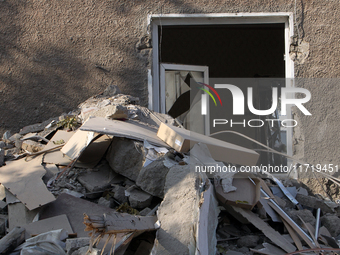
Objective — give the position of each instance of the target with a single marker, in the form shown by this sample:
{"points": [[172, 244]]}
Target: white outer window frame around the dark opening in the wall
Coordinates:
{"points": [[157, 20]]}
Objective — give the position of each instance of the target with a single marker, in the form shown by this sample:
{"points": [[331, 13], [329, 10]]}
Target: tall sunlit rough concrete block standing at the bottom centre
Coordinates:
{"points": [[178, 213]]}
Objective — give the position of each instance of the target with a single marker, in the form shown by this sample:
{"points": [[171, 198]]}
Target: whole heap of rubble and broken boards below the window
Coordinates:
{"points": [[113, 177]]}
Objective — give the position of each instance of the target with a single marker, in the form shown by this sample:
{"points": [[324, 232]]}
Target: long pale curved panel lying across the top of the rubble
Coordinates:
{"points": [[129, 129]]}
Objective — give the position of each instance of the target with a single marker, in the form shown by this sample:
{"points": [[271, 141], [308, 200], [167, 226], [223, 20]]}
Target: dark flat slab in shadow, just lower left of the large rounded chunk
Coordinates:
{"points": [[99, 179]]}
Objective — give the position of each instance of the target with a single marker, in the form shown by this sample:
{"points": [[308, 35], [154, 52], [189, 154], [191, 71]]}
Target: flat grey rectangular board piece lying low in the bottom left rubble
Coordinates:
{"points": [[42, 226]]}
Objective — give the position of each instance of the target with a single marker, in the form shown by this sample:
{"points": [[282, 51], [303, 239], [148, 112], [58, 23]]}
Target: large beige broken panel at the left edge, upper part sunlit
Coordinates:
{"points": [[23, 179]]}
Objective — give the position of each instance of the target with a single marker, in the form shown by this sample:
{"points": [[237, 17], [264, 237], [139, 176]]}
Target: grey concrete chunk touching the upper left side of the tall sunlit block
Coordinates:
{"points": [[152, 178]]}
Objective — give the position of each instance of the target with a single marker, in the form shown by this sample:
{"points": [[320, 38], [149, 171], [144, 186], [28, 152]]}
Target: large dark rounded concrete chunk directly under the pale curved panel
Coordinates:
{"points": [[124, 158]]}
